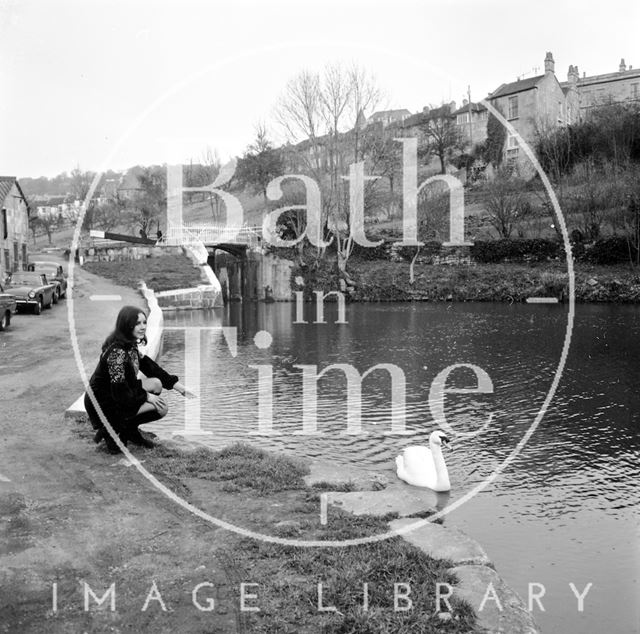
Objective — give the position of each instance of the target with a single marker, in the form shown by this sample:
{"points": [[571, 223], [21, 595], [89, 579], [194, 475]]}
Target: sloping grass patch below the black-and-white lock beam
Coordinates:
{"points": [[165, 273]]}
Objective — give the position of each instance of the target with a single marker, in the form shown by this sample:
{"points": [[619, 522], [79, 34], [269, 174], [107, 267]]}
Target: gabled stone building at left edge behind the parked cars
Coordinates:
{"points": [[14, 227]]}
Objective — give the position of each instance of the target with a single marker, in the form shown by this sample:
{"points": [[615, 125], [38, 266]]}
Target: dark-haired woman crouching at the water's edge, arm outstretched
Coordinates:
{"points": [[125, 400]]}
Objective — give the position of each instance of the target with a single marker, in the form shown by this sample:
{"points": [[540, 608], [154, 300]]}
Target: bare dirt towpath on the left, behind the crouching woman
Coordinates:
{"points": [[72, 514]]}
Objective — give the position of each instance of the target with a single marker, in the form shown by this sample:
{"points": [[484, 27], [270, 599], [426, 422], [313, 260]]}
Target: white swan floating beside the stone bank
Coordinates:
{"points": [[425, 466]]}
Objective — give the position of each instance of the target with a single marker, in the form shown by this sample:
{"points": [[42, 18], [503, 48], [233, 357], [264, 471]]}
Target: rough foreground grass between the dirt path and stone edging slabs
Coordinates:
{"points": [[267, 493]]}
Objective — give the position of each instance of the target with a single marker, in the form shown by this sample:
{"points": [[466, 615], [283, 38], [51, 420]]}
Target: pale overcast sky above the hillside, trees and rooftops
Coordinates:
{"points": [[108, 85]]}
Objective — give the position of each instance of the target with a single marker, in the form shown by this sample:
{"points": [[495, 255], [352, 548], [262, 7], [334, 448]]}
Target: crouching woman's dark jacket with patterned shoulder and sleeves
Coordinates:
{"points": [[115, 382]]}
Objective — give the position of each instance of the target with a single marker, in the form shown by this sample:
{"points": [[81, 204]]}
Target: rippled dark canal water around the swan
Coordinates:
{"points": [[565, 511]]}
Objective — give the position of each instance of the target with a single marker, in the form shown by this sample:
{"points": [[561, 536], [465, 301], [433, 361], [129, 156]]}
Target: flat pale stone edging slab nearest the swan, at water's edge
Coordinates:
{"points": [[396, 498]]}
